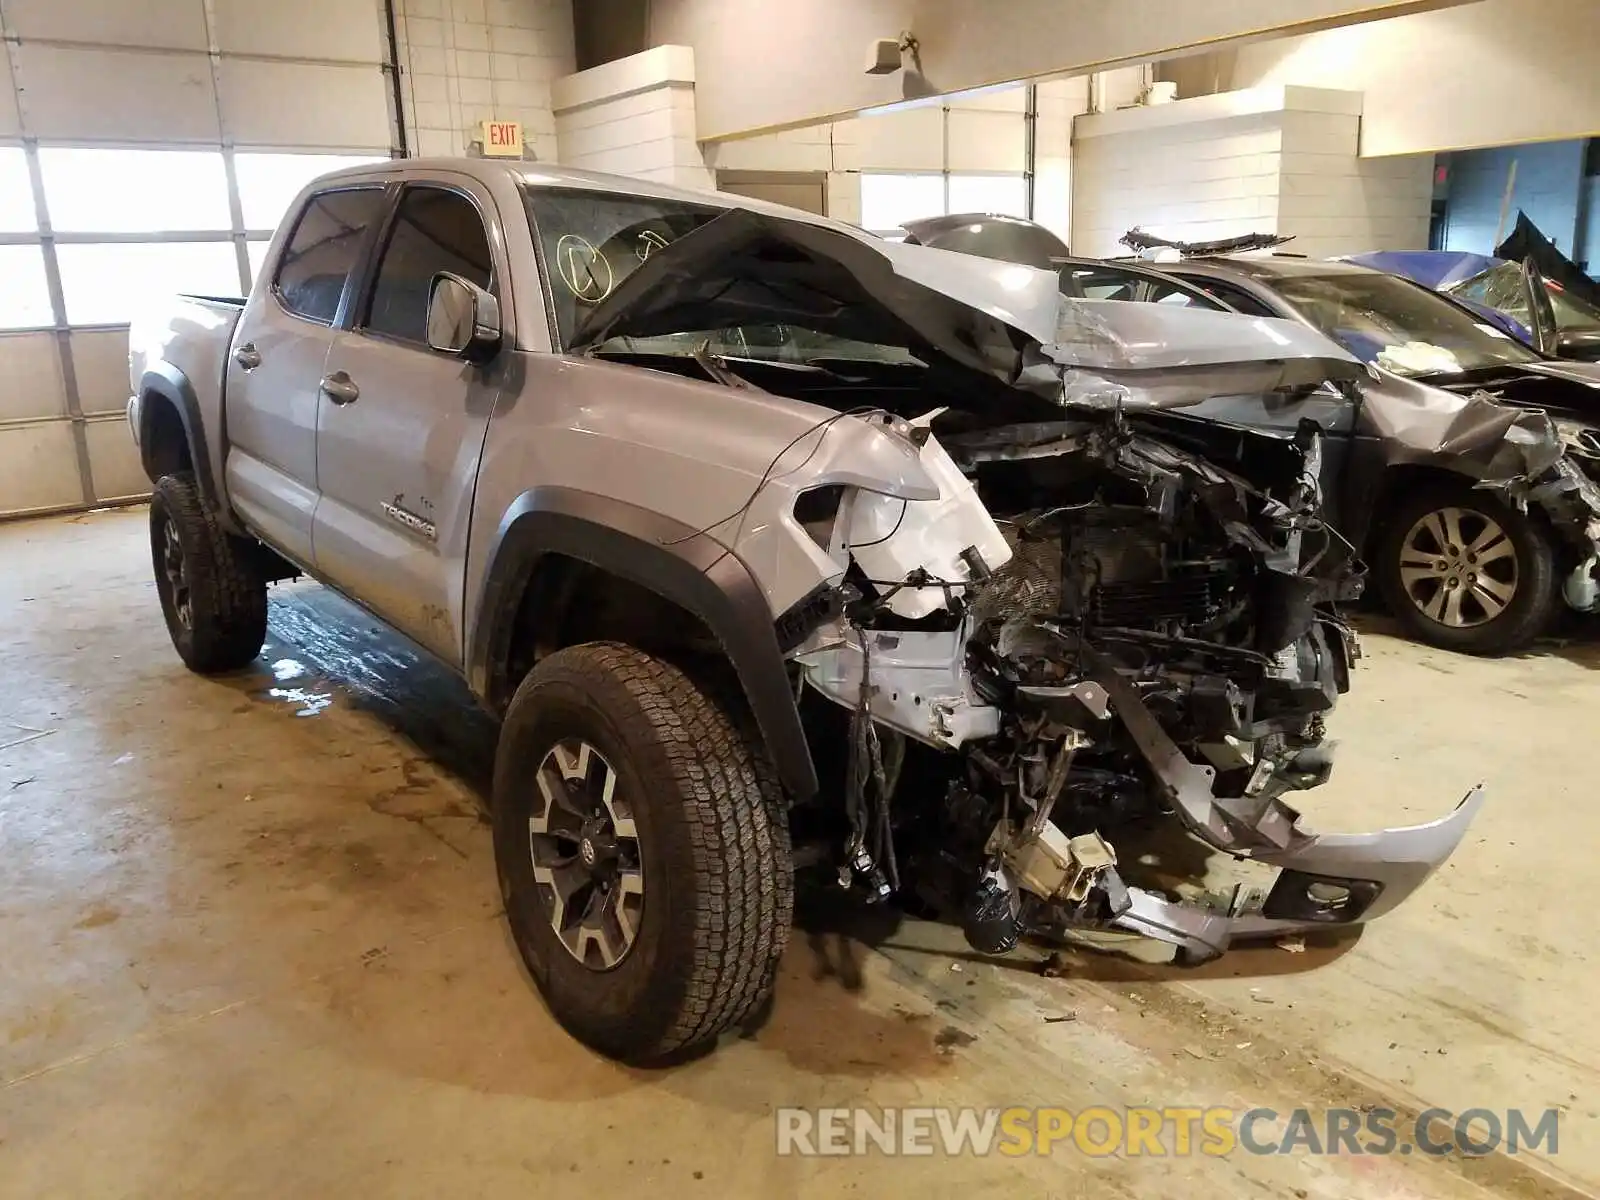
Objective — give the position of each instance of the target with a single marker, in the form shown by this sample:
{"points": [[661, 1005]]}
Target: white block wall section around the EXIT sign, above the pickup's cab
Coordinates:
{"points": [[470, 62]]}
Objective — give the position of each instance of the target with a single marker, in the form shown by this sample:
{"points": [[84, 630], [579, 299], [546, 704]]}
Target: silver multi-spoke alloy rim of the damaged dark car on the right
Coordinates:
{"points": [[1458, 567]]}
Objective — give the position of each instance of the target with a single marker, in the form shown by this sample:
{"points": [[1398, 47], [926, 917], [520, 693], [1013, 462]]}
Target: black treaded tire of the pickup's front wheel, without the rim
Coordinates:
{"points": [[713, 839]]}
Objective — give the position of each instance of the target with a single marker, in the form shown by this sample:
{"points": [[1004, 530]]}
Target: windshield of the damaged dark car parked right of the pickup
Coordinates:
{"points": [[1401, 326]]}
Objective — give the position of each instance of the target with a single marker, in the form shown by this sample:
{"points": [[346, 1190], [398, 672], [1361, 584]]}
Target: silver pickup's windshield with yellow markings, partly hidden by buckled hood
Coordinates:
{"points": [[594, 241]]}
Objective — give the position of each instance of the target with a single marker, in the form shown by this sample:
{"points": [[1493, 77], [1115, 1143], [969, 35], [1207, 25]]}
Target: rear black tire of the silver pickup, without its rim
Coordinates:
{"points": [[228, 593]]}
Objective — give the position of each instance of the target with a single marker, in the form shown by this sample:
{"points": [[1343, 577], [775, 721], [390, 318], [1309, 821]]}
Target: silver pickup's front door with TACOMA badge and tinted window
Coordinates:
{"points": [[398, 463]]}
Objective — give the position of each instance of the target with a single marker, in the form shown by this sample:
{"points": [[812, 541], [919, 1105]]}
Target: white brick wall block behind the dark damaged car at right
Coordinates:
{"points": [[1281, 162]]}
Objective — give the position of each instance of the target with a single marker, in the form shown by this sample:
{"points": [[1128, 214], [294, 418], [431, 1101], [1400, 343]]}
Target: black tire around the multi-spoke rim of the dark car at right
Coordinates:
{"points": [[1534, 607]]}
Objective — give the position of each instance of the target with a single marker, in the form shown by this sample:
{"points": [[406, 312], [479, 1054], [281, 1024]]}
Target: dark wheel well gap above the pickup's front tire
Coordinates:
{"points": [[567, 602]]}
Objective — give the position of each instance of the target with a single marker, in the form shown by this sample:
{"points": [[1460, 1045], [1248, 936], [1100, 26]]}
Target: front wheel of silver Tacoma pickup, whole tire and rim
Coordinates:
{"points": [[642, 852]]}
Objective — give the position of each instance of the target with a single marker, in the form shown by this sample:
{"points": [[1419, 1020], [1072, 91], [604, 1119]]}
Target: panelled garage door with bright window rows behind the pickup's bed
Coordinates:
{"points": [[150, 146]]}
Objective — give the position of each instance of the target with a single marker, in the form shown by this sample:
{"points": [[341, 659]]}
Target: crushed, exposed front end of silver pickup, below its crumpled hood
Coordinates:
{"points": [[1143, 626]]}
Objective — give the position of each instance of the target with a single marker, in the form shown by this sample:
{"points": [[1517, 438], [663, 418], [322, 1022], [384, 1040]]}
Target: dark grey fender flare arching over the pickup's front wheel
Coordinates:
{"points": [[673, 561]]}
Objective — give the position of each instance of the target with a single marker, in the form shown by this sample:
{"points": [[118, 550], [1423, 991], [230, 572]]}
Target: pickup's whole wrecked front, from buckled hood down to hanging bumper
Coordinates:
{"points": [[1047, 602]]}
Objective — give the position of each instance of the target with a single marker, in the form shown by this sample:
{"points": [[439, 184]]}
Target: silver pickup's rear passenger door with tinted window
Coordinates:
{"points": [[276, 366]]}
